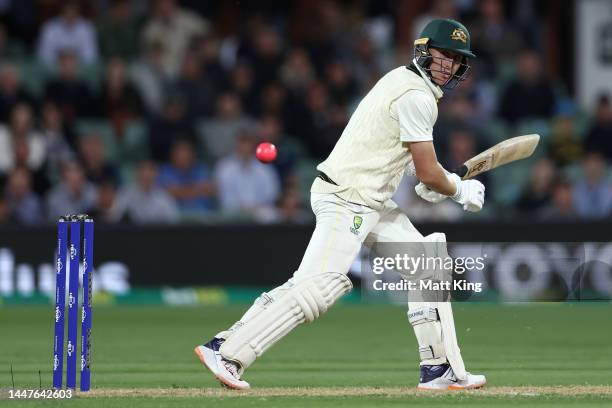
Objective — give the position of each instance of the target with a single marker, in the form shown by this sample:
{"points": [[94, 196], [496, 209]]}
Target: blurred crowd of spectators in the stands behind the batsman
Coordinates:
{"points": [[150, 111]]}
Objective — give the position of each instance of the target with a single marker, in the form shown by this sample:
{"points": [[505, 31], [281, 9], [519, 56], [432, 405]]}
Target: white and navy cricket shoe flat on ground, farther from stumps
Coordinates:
{"points": [[442, 377]]}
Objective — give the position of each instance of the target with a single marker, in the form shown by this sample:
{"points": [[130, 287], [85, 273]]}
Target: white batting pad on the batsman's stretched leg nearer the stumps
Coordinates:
{"points": [[308, 299]]}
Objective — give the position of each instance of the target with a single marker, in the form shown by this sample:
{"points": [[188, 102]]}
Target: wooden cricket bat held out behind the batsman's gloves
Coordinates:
{"points": [[513, 149]]}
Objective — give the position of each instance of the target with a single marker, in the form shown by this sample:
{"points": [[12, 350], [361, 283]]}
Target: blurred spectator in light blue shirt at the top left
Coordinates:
{"points": [[69, 31]]}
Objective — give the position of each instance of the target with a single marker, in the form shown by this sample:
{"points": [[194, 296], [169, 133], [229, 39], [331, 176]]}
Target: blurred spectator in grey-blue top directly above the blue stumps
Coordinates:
{"points": [[73, 195]]}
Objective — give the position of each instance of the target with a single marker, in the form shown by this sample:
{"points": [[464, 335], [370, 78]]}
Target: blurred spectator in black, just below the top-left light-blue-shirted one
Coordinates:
{"points": [[69, 92]]}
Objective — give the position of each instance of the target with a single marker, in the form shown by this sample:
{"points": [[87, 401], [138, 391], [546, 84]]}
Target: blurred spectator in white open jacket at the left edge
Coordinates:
{"points": [[21, 128]]}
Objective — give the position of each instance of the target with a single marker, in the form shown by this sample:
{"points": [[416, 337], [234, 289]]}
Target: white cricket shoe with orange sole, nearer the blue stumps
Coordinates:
{"points": [[226, 371]]}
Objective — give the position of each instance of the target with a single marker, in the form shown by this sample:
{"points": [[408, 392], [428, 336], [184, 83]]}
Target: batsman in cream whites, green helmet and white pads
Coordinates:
{"points": [[389, 133]]}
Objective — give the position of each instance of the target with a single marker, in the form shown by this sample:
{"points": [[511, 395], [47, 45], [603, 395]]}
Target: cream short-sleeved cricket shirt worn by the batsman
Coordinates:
{"points": [[370, 157]]}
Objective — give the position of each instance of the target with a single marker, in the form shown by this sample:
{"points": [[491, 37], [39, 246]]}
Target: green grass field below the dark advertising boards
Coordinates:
{"points": [[532, 355]]}
